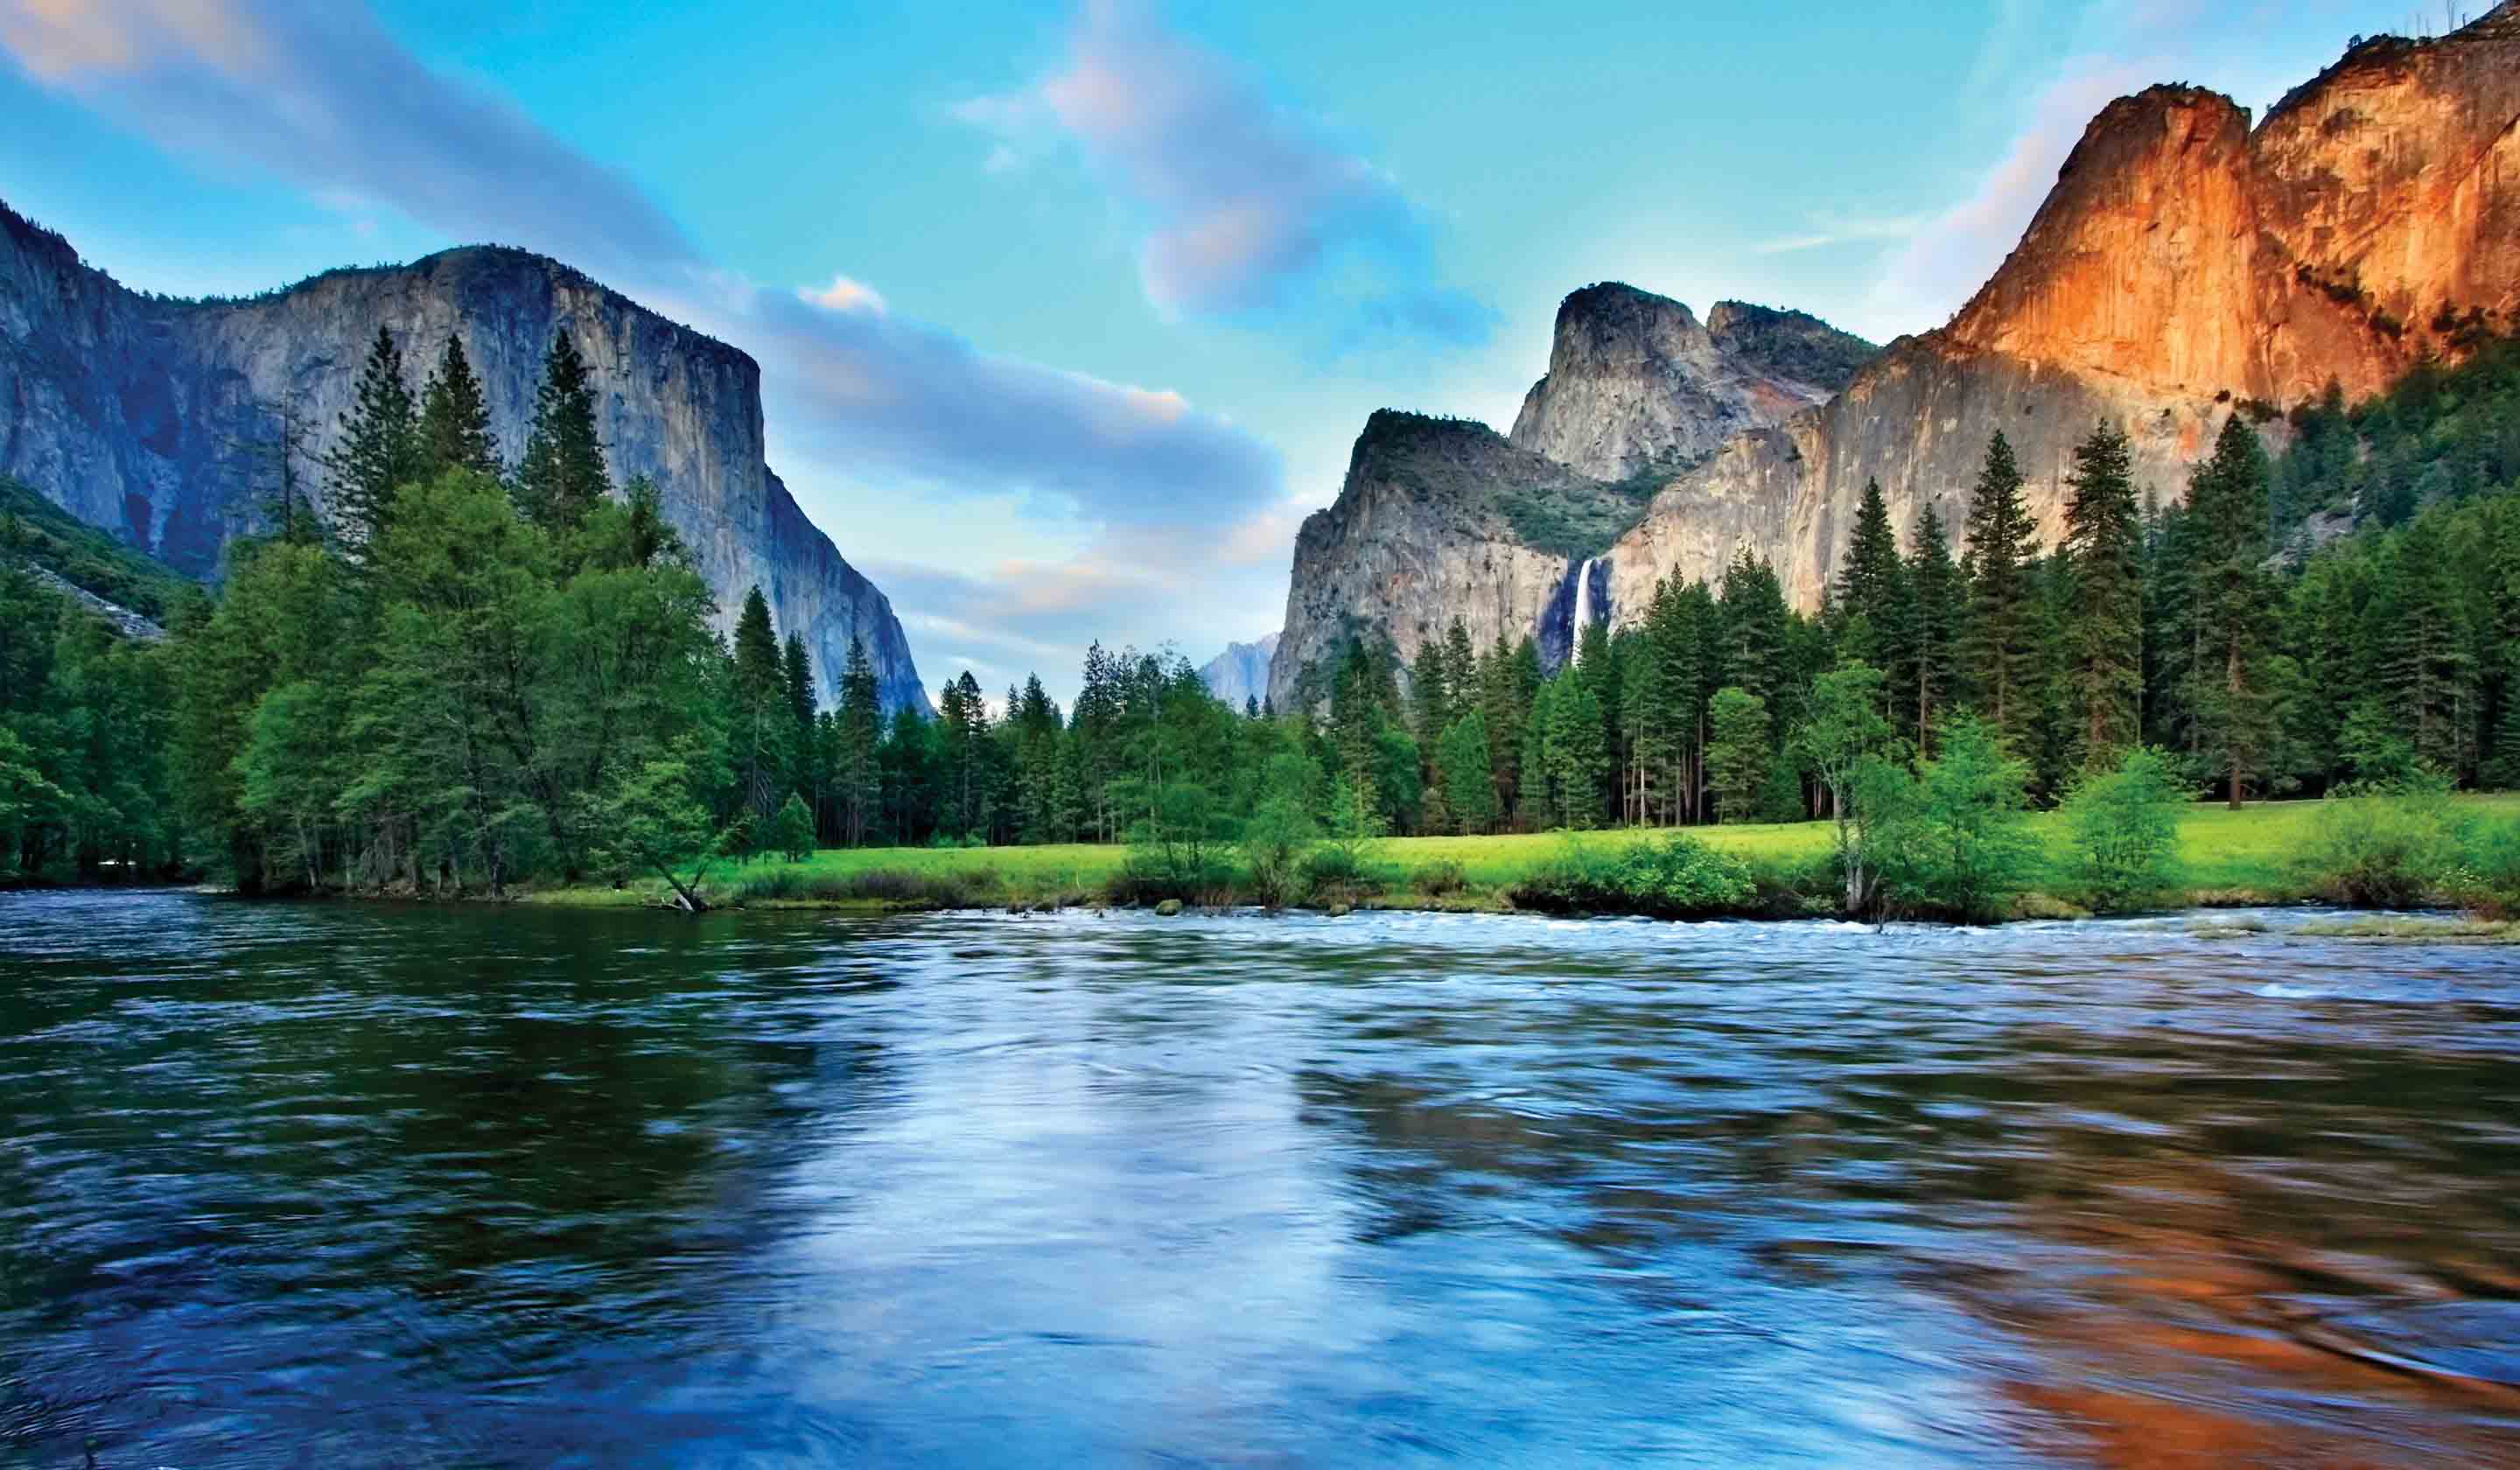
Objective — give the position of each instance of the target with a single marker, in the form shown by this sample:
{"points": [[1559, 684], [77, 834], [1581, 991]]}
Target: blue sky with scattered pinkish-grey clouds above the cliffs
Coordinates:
{"points": [[1067, 314]]}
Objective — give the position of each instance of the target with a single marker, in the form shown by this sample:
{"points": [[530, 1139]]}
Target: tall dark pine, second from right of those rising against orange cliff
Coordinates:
{"points": [[2105, 548]]}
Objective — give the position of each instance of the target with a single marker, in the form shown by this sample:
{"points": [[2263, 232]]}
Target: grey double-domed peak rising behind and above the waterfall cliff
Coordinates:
{"points": [[1639, 385]]}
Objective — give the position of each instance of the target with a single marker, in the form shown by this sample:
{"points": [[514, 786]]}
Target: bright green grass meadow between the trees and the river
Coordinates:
{"points": [[2226, 859]]}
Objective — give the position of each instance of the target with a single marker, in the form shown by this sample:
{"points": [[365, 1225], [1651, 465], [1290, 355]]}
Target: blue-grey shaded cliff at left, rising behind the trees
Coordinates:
{"points": [[157, 417]]}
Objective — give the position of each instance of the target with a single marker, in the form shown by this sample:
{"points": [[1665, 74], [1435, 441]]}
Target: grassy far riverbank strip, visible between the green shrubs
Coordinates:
{"points": [[2224, 861]]}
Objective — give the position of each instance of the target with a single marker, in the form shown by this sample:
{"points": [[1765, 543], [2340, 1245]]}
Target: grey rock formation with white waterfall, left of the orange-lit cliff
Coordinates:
{"points": [[1443, 518]]}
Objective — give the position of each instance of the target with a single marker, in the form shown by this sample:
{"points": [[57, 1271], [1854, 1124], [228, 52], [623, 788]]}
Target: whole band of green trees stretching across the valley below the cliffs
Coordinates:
{"points": [[470, 672]]}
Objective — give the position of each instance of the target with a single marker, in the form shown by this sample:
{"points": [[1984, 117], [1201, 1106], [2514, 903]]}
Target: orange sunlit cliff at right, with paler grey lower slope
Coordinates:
{"points": [[2181, 271]]}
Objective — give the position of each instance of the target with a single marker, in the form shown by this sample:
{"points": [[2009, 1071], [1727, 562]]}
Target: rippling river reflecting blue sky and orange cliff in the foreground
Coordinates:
{"points": [[465, 1186]]}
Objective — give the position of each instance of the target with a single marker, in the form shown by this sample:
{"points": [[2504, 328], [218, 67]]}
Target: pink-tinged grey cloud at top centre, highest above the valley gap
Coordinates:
{"points": [[1254, 205]]}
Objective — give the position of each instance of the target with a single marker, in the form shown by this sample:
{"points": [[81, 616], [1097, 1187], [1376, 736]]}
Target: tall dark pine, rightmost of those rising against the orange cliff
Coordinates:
{"points": [[2234, 596]]}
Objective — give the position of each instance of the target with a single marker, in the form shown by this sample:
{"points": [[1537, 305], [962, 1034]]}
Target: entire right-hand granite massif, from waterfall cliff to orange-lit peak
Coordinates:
{"points": [[2184, 269]]}
